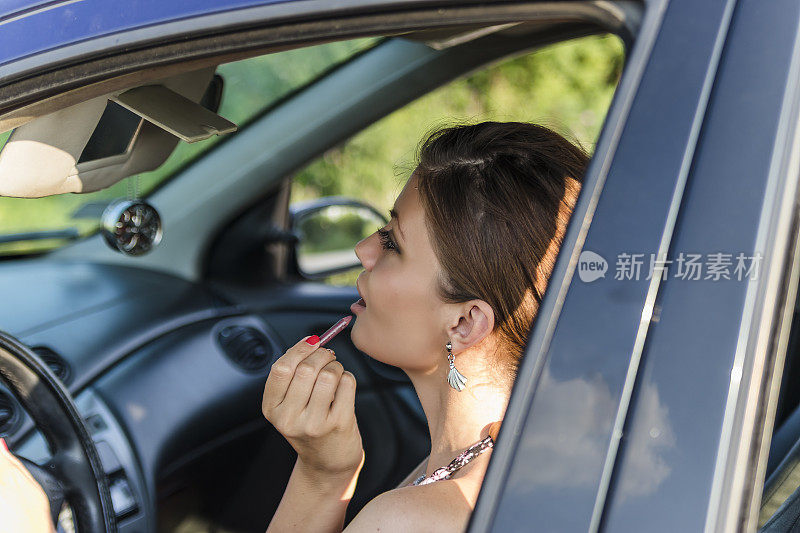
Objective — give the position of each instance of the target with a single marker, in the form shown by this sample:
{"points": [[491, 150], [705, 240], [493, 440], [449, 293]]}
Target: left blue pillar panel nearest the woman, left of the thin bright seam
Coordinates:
{"points": [[568, 435]]}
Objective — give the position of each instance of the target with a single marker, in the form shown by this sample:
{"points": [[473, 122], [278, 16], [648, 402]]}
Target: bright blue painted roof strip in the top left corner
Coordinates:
{"points": [[29, 27]]}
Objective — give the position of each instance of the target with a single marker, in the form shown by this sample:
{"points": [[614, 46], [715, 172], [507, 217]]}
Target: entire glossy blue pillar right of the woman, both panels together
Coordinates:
{"points": [[673, 471]]}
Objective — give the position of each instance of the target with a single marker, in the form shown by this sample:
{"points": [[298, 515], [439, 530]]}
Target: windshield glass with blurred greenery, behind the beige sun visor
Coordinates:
{"points": [[251, 86]]}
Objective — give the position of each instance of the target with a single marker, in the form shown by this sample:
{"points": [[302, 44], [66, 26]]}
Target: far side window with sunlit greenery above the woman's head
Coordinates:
{"points": [[566, 86]]}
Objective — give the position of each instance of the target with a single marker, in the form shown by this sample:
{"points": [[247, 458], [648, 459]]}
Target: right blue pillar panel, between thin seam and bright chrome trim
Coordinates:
{"points": [[687, 372]]}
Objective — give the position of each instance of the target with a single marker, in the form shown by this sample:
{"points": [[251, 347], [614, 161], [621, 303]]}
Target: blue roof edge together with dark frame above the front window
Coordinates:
{"points": [[86, 37]]}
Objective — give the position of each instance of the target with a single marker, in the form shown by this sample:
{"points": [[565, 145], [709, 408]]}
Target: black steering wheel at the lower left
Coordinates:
{"points": [[74, 473]]}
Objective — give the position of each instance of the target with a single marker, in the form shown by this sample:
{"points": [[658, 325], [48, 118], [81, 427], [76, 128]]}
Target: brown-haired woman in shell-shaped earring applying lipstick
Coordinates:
{"points": [[449, 291]]}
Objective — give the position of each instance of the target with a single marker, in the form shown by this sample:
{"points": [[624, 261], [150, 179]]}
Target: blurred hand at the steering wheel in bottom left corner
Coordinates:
{"points": [[23, 504]]}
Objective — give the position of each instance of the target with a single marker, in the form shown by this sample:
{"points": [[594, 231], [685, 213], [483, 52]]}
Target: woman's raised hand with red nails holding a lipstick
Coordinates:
{"points": [[310, 399]]}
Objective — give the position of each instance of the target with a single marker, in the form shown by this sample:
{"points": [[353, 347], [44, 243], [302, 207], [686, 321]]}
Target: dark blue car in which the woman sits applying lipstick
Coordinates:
{"points": [[657, 392]]}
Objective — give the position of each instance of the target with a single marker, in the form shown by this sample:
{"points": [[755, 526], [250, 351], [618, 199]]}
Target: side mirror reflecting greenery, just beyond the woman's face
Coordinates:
{"points": [[328, 230]]}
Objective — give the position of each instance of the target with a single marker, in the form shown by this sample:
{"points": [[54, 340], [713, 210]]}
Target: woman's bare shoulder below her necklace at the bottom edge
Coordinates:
{"points": [[440, 506]]}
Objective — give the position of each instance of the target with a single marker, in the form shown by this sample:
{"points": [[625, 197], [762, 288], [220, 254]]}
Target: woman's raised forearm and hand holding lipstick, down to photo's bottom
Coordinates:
{"points": [[310, 399]]}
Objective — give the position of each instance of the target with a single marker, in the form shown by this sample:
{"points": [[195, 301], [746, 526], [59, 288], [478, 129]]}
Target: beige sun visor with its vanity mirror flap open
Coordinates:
{"points": [[94, 144]]}
